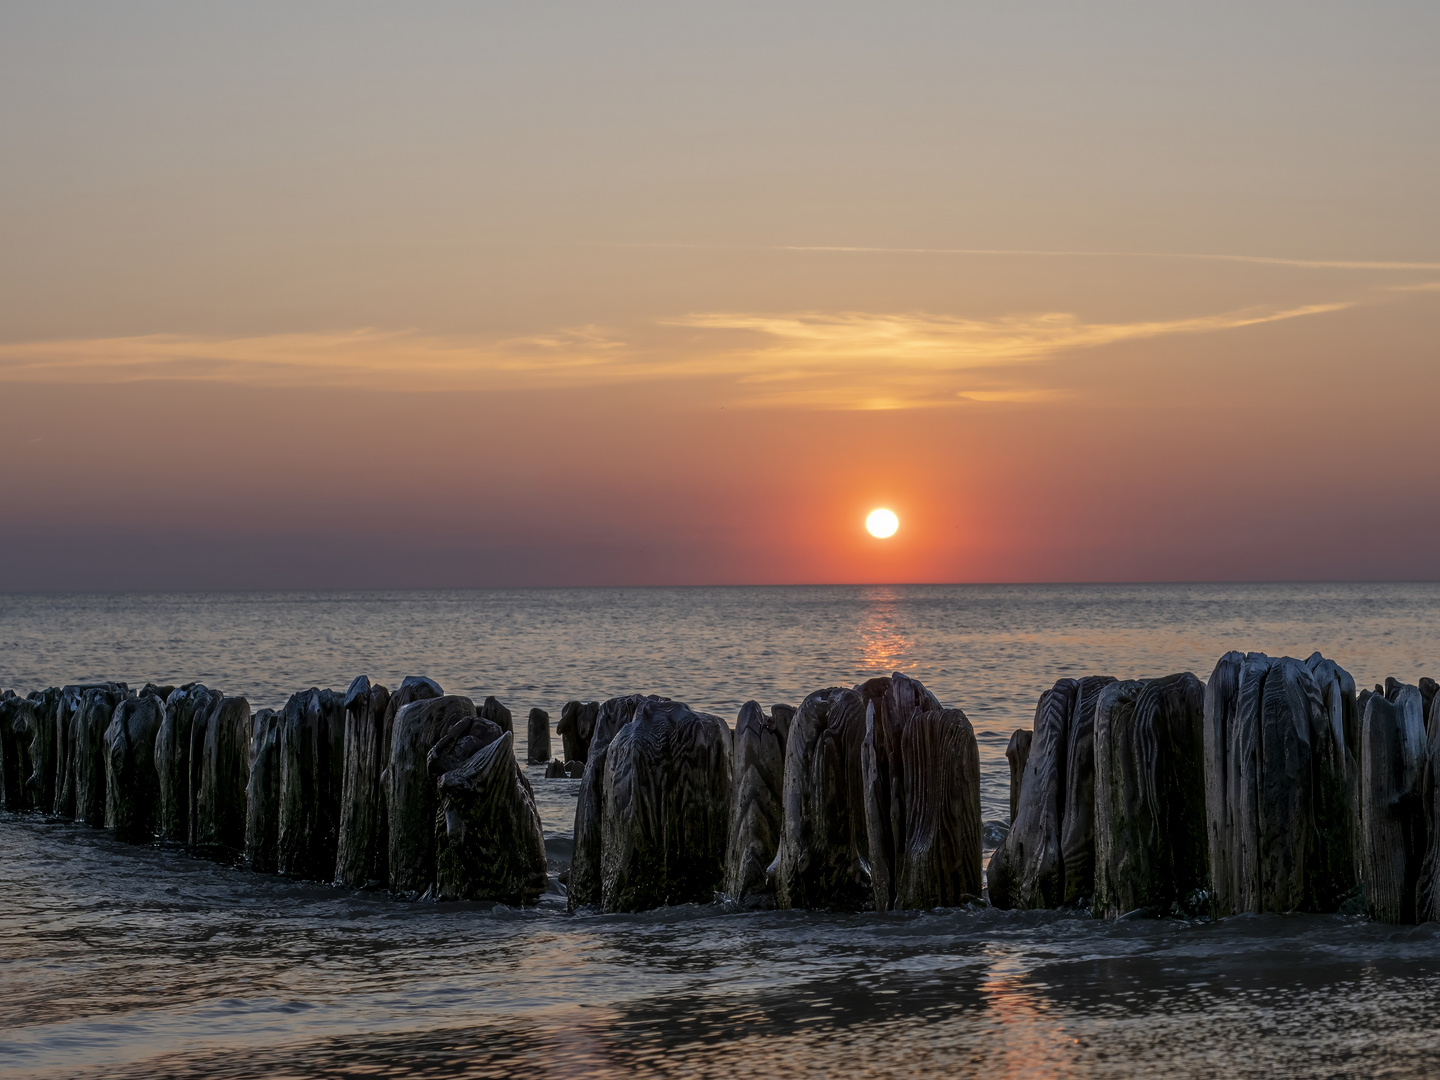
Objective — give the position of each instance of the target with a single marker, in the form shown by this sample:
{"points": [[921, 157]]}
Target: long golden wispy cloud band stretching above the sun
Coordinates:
{"points": [[813, 359]]}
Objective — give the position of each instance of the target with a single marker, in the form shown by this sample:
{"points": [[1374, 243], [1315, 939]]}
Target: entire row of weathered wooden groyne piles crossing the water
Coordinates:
{"points": [[1275, 787]]}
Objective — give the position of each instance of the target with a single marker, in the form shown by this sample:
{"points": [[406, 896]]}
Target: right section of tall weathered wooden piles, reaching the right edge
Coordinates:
{"points": [[1272, 788]]}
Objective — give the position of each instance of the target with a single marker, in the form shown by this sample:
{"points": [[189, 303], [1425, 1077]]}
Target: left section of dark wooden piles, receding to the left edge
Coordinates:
{"points": [[414, 791]]}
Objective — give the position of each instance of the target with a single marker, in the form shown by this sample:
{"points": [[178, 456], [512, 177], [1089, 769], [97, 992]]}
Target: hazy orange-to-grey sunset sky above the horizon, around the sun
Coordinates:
{"points": [[489, 294]]}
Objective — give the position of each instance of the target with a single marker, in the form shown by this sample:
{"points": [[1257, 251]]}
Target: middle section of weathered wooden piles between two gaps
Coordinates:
{"points": [[863, 798]]}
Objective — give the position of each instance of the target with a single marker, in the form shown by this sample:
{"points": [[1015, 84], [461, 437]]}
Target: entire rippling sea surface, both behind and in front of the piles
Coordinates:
{"points": [[122, 961]]}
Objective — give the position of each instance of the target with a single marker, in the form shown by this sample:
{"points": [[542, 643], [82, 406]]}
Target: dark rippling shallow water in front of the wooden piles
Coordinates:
{"points": [[189, 970]]}
